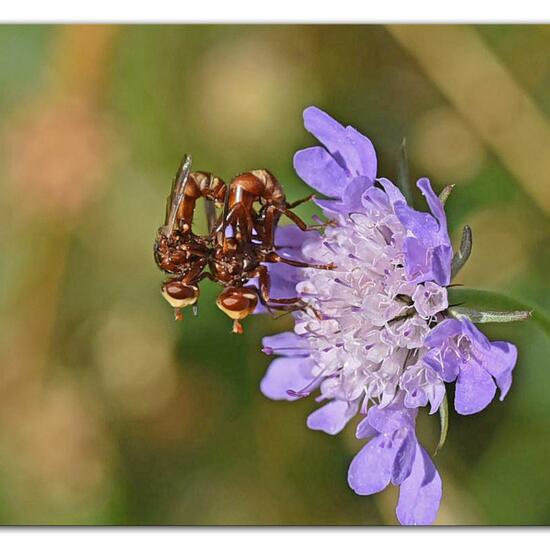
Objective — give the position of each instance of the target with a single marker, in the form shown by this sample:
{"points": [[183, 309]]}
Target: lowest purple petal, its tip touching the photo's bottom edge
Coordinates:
{"points": [[420, 493]]}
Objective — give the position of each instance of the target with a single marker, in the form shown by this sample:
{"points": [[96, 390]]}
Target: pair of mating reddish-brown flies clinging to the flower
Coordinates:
{"points": [[240, 240]]}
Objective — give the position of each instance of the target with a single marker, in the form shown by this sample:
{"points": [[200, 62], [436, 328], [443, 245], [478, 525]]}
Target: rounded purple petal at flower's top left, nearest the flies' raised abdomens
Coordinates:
{"points": [[320, 171]]}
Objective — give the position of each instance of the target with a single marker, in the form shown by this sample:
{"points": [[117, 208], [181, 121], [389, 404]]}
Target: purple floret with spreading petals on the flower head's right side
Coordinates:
{"points": [[459, 351]]}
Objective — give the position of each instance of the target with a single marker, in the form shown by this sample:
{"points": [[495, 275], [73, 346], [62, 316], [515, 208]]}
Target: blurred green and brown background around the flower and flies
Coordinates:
{"points": [[111, 412]]}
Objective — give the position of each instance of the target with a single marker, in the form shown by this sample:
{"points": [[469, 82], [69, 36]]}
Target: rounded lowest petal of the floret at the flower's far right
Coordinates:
{"points": [[475, 389]]}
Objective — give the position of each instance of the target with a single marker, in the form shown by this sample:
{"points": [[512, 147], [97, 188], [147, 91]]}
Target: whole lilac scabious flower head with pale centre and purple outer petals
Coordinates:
{"points": [[375, 339]]}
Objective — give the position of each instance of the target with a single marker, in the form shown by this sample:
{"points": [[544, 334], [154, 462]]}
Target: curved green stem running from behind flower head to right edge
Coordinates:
{"points": [[485, 300]]}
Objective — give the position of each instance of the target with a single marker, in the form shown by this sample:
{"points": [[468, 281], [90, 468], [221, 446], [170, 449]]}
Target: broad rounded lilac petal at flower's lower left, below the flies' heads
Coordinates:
{"points": [[283, 374]]}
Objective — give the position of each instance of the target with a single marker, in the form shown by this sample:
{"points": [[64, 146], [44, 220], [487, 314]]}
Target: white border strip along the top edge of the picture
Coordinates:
{"points": [[280, 11]]}
